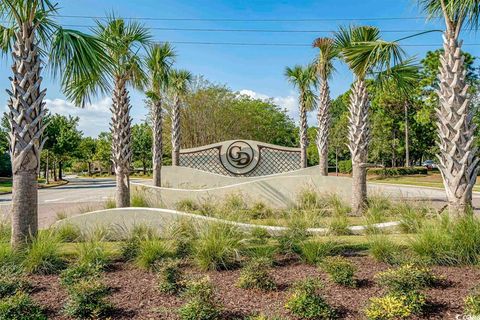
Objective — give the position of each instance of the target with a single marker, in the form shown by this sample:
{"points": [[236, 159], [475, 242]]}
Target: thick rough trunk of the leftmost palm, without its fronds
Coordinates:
{"points": [[26, 111]]}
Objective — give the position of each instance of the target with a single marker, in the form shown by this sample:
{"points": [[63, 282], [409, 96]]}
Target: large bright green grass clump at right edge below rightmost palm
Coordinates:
{"points": [[449, 242]]}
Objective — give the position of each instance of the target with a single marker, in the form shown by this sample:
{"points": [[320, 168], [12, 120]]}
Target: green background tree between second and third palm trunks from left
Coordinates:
{"points": [[142, 145]]}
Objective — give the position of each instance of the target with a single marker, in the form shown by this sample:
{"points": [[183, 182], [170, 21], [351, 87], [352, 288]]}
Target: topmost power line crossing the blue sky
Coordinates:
{"points": [[245, 20]]}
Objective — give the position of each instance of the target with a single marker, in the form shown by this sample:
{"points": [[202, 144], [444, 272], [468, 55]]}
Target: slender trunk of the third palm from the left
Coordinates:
{"points": [[157, 144]]}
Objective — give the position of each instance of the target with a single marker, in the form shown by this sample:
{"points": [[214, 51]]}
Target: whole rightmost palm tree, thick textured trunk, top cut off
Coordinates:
{"points": [[458, 161]]}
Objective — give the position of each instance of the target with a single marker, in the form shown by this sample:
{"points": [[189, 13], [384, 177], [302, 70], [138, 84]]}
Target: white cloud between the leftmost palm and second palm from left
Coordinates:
{"points": [[93, 118]]}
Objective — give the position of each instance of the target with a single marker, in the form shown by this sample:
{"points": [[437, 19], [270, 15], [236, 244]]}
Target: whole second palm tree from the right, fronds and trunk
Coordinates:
{"points": [[367, 56]]}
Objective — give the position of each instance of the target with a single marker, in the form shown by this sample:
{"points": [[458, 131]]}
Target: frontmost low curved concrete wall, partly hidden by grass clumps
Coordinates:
{"points": [[126, 218]]}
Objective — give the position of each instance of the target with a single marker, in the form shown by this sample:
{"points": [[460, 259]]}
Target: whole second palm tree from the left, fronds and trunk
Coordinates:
{"points": [[123, 40]]}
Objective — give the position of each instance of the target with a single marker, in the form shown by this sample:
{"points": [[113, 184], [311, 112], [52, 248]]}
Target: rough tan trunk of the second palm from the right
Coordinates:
{"points": [[358, 136]]}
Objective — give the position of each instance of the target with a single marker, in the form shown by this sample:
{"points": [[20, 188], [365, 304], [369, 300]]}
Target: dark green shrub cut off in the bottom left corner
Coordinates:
{"points": [[20, 307]]}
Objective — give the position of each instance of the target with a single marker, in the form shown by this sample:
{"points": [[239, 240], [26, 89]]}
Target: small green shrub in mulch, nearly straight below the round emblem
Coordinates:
{"points": [[255, 276]]}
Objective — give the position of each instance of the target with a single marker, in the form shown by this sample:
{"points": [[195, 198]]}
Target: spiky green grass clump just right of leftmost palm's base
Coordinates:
{"points": [[42, 255]]}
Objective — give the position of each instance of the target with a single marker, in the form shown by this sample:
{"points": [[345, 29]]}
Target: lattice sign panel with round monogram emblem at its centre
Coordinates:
{"points": [[260, 159]]}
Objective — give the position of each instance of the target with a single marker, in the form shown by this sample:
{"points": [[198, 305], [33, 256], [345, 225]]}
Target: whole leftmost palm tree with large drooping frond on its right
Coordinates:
{"points": [[31, 36]]}
